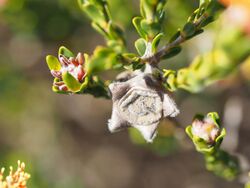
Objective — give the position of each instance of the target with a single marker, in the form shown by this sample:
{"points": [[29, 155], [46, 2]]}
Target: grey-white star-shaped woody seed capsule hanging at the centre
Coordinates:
{"points": [[140, 101]]}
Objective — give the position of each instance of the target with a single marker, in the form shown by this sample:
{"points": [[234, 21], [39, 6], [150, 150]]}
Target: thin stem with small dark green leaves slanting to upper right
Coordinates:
{"points": [[202, 16]]}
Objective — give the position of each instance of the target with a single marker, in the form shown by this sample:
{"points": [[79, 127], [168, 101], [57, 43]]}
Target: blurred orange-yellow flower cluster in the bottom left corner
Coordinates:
{"points": [[15, 179]]}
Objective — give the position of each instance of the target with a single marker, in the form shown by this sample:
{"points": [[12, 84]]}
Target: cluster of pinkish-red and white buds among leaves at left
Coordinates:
{"points": [[73, 66]]}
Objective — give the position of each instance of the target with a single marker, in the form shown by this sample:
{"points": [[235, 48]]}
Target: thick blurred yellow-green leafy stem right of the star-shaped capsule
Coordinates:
{"points": [[211, 66]]}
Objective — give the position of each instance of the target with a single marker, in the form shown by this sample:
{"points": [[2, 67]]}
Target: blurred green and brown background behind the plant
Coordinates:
{"points": [[64, 140]]}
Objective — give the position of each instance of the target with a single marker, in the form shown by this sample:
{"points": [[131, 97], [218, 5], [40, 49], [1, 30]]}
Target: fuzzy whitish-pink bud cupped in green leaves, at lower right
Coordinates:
{"points": [[205, 132]]}
